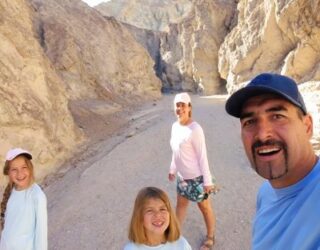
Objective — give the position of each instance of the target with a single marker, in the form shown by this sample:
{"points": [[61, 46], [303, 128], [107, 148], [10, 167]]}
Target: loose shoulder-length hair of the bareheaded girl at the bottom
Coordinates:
{"points": [[136, 229]]}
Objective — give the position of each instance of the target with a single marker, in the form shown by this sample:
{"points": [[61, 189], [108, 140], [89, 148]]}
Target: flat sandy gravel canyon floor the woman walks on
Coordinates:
{"points": [[90, 200]]}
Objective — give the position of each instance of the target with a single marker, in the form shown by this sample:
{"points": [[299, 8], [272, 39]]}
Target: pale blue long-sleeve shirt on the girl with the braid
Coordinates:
{"points": [[25, 220]]}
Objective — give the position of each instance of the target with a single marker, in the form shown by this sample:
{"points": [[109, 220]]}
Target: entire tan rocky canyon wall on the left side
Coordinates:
{"points": [[59, 56]]}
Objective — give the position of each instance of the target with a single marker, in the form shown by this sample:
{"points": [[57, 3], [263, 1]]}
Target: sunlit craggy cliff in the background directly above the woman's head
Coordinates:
{"points": [[191, 47]]}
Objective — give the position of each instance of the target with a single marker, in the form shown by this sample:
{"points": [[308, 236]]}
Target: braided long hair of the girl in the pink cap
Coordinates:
{"points": [[9, 187]]}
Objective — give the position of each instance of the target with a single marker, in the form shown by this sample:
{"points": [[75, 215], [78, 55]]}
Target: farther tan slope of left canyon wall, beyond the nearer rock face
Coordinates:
{"points": [[96, 57]]}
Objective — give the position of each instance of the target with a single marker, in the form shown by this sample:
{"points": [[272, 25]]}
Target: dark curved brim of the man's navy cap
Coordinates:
{"points": [[236, 101]]}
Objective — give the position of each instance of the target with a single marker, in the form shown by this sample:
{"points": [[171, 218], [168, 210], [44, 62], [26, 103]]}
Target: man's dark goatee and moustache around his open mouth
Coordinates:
{"points": [[269, 164]]}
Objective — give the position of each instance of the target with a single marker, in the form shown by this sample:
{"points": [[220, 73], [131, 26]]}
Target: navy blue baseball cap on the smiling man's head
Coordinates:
{"points": [[265, 83]]}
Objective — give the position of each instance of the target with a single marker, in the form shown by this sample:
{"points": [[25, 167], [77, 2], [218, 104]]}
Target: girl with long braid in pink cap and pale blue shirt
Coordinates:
{"points": [[23, 207]]}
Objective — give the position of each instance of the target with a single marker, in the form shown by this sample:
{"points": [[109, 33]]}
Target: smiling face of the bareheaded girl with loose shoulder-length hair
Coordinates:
{"points": [[156, 219]]}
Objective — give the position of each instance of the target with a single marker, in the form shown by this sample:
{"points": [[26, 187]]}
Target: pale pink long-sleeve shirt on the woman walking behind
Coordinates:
{"points": [[189, 152]]}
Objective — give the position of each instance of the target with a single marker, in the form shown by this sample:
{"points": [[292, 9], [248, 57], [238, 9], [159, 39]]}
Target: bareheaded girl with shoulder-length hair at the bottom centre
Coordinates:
{"points": [[154, 224]]}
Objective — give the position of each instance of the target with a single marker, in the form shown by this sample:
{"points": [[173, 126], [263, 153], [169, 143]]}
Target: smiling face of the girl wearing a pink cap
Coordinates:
{"points": [[19, 173]]}
